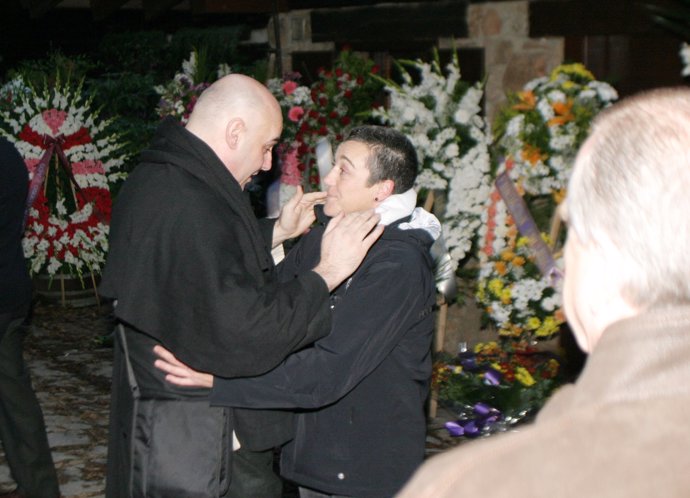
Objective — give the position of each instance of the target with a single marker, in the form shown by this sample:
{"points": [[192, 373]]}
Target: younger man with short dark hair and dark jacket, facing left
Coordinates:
{"points": [[360, 390]]}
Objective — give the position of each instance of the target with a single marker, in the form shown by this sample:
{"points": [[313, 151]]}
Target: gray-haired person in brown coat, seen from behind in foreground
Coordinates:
{"points": [[621, 429]]}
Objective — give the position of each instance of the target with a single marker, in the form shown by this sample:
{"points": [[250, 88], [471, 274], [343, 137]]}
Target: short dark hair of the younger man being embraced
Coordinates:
{"points": [[393, 156]]}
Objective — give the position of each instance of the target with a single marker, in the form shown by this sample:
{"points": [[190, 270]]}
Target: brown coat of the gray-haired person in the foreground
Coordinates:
{"points": [[621, 431]]}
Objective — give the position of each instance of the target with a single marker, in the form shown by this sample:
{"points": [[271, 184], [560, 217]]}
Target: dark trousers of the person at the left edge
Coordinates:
{"points": [[22, 429]]}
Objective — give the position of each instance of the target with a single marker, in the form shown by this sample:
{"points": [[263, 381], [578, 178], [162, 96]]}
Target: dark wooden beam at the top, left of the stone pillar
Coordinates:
{"points": [[388, 25]]}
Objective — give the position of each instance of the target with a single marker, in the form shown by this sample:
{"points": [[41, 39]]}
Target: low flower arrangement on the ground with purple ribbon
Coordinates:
{"points": [[495, 386]]}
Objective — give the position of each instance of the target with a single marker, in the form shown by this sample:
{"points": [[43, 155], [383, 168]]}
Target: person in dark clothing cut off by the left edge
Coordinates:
{"points": [[22, 429]]}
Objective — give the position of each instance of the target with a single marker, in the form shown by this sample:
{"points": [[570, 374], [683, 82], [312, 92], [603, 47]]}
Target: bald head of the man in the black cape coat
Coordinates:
{"points": [[240, 120]]}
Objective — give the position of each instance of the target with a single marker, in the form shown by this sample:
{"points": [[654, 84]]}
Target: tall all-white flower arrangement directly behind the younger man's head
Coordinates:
{"points": [[441, 115]]}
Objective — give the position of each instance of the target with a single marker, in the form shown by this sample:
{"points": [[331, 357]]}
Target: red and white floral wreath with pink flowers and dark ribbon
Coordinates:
{"points": [[72, 163]]}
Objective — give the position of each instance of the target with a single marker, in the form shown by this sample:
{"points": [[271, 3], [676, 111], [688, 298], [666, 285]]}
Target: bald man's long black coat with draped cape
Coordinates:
{"points": [[190, 267]]}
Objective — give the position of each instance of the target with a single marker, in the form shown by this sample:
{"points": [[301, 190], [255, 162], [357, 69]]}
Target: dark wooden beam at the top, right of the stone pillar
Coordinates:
{"points": [[588, 17]]}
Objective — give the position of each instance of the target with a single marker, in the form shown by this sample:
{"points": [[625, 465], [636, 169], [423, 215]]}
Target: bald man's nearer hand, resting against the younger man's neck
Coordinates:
{"points": [[345, 242]]}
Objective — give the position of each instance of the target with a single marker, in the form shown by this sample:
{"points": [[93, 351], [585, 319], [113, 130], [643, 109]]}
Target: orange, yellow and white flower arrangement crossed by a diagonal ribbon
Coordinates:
{"points": [[538, 135]]}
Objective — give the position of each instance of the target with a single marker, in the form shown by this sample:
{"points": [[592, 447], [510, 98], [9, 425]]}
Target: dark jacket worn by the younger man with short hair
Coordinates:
{"points": [[363, 387]]}
